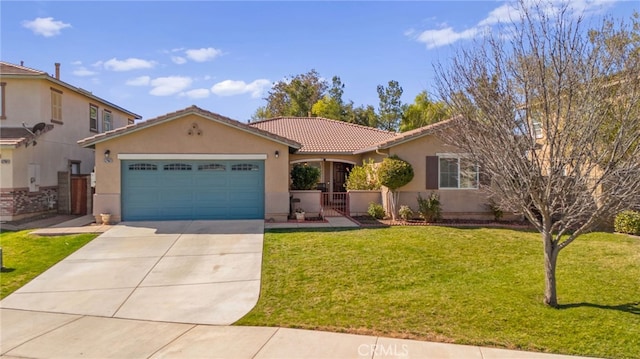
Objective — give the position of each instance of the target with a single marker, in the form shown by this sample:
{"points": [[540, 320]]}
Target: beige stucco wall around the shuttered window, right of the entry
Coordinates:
{"points": [[456, 203]]}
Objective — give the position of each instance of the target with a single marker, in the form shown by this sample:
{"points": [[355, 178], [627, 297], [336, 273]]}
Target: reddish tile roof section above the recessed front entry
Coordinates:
{"points": [[322, 135]]}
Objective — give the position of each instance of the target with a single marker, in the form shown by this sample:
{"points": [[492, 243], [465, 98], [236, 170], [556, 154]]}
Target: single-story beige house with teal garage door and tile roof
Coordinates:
{"points": [[195, 164]]}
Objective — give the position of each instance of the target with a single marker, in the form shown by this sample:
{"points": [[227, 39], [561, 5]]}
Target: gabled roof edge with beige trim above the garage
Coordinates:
{"points": [[91, 141]]}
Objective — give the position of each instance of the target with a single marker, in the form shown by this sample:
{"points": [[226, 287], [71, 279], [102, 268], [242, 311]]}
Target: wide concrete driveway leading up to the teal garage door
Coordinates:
{"points": [[199, 272]]}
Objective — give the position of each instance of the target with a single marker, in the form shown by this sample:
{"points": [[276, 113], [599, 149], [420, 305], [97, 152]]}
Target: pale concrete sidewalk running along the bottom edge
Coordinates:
{"points": [[47, 335]]}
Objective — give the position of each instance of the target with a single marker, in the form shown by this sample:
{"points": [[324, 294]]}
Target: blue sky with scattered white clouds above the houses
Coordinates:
{"points": [[155, 57]]}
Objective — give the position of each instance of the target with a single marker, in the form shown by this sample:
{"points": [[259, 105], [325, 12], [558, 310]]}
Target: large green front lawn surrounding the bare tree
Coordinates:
{"points": [[469, 286]]}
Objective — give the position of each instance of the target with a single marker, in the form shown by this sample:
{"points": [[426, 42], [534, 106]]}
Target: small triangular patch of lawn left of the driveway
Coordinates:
{"points": [[25, 256]]}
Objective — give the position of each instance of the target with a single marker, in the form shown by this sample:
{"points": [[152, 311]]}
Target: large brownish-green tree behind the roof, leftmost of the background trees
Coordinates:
{"points": [[293, 96]]}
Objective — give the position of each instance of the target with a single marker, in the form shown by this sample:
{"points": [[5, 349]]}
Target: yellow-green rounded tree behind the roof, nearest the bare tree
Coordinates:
{"points": [[423, 112]]}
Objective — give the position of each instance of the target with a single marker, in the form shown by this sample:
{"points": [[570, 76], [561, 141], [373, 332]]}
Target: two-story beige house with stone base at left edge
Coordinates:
{"points": [[41, 119]]}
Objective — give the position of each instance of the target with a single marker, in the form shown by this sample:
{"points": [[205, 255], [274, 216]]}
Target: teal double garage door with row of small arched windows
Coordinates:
{"points": [[181, 189]]}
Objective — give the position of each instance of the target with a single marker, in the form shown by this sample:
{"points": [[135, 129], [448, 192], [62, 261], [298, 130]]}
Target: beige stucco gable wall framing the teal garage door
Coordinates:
{"points": [[173, 138]]}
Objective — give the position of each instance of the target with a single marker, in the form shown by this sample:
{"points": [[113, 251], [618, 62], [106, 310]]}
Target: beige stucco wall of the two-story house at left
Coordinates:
{"points": [[29, 101]]}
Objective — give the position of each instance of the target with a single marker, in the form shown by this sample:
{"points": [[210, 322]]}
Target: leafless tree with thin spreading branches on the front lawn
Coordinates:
{"points": [[551, 113]]}
